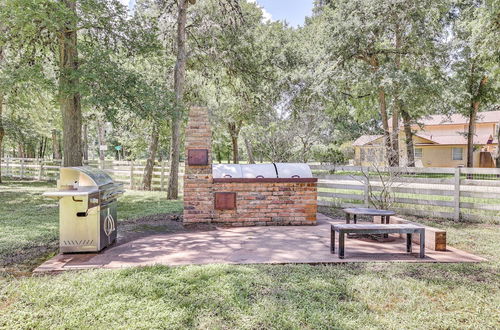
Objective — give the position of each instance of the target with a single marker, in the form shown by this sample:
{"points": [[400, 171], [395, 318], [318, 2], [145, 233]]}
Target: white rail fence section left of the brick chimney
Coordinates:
{"points": [[129, 173]]}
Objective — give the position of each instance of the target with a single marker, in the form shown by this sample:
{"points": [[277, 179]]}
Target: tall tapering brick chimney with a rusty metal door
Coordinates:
{"points": [[198, 196]]}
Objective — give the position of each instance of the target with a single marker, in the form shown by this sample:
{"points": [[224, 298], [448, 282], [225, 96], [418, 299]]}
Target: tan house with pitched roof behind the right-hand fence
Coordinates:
{"points": [[439, 141]]}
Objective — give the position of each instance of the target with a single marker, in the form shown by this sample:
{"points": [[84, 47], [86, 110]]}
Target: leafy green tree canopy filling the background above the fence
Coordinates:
{"points": [[91, 72]]}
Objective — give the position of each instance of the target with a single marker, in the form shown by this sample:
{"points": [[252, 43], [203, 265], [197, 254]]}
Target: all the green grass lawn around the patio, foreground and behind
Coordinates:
{"points": [[346, 296]]}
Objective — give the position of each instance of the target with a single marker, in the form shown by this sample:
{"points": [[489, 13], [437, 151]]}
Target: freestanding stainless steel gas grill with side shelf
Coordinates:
{"points": [[87, 209]]}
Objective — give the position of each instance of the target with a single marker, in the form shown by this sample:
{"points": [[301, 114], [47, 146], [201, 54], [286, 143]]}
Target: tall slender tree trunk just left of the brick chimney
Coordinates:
{"points": [[179, 79]]}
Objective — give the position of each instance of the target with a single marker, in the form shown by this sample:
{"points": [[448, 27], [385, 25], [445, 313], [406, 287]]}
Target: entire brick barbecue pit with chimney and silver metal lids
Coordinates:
{"points": [[242, 195]]}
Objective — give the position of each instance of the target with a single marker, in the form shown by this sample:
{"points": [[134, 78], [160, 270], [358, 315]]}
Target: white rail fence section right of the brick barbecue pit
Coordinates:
{"points": [[451, 193]]}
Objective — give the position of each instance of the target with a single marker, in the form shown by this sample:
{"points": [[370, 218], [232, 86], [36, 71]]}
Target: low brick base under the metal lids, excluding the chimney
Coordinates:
{"points": [[269, 204]]}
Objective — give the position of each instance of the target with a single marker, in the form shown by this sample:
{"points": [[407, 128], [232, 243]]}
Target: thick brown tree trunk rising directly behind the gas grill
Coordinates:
{"points": [[69, 97]]}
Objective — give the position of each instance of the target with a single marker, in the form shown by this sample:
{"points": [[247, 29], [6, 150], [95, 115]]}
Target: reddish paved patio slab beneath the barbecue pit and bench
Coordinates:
{"points": [[248, 245]]}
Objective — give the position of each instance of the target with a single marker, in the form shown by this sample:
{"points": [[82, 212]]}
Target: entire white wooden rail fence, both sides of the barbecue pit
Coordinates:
{"points": [[451, 193]]}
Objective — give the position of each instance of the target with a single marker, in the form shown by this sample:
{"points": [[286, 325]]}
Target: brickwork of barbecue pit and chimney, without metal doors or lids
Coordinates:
{"points": [[257, 203]]}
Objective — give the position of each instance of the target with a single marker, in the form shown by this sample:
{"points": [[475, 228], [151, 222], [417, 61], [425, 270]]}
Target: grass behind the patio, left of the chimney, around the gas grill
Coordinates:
{"points": [[29, 221]]}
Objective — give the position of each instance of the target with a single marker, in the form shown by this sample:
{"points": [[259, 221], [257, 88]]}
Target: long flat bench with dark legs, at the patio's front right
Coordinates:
{"points": [[407, 229]]}
